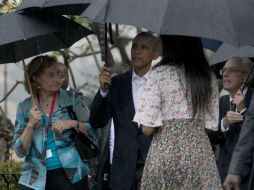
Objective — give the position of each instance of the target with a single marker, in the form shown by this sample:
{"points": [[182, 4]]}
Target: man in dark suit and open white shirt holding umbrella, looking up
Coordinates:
{"points": [[119, 102]]}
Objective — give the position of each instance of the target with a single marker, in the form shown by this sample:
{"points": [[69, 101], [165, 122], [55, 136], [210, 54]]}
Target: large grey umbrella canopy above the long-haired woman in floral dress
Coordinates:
{"points": [[224, 20]]}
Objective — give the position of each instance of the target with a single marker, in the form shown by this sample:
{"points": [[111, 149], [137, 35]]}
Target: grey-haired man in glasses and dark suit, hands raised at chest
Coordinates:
{"points": [[232, 108]]}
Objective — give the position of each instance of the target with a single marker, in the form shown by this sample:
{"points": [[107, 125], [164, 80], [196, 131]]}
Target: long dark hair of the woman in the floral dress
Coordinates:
{"points": [[187, 53]]}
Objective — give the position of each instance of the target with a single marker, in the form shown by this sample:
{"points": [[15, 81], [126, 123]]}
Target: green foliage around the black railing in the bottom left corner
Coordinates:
{"points": [[10, 167]]}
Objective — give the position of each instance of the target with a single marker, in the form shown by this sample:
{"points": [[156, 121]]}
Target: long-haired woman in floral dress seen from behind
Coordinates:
{"points": [[180, 102]]}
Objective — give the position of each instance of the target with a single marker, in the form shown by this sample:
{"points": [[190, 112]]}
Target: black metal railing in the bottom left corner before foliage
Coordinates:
{"points": [[9, 181]]}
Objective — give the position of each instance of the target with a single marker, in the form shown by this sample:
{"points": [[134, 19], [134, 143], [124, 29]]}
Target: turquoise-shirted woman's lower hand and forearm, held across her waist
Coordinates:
{"points": [[61, 125]]}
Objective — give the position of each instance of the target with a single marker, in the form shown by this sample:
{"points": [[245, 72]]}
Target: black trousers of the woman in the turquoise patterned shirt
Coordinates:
{"points": [[57, 180]]}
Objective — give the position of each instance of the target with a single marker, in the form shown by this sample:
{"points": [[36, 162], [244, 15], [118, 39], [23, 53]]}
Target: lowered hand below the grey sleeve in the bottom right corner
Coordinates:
{"points": [[232, 182]]}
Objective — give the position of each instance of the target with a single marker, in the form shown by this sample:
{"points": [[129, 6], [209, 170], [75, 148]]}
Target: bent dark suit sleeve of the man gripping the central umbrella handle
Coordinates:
{"points": [[100, 111]]}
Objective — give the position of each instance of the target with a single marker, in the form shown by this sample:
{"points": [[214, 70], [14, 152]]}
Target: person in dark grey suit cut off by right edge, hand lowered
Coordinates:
{"points": [[242, 163]]}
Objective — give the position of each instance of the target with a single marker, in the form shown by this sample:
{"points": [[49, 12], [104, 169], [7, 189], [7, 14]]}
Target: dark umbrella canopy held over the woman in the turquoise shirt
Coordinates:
{"points": [[36, 33]]}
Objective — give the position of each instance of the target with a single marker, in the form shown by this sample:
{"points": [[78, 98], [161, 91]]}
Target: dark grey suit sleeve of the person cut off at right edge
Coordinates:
{"points": [[242, 158]]}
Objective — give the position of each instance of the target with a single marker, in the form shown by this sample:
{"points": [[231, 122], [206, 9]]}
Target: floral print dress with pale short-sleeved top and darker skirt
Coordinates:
{"points": [[180, 156]]}
